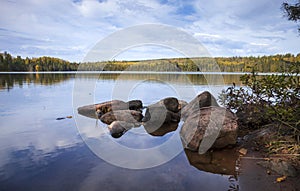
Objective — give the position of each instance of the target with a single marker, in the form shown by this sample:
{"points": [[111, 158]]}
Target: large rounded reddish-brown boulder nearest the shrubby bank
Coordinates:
{"points": [[212, 126]]}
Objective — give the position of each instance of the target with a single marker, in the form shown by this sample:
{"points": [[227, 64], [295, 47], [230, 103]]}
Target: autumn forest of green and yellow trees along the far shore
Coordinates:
{"points": [[271, 63]]}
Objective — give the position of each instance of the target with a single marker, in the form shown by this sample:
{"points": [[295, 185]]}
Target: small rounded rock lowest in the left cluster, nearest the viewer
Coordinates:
{"points": [[118, 128]]}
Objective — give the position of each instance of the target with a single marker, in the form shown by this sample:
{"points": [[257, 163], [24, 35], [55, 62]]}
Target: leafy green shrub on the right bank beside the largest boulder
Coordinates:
{"points": [[266, 98]]}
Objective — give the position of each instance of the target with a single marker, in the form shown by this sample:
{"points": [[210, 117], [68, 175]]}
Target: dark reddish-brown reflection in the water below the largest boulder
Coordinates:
{"points": [[218, 162]]}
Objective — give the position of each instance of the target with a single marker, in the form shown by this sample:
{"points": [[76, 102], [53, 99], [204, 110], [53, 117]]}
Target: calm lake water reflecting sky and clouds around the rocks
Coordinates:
{"points": [[38, 152]]}
